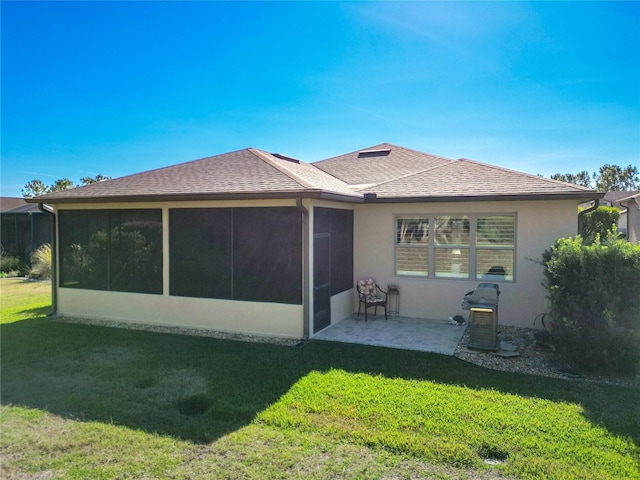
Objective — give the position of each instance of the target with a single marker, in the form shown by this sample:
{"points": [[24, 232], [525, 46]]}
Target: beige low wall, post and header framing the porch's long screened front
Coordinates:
{"points": [[269, 319]]}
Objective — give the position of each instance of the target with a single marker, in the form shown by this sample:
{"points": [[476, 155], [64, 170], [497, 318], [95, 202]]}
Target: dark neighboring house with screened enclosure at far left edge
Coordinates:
{"points": [[23, 227]]}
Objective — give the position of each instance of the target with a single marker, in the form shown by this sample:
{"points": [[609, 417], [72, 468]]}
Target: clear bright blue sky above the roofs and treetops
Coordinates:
{"points": [[122, 87]]}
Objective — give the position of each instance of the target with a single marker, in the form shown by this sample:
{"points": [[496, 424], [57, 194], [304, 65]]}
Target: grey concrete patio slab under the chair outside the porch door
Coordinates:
{"points": [[438, 336]]}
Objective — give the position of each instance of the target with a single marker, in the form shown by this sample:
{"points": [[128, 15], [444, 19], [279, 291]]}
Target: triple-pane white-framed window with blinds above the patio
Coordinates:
{"points": [[478, 247]]}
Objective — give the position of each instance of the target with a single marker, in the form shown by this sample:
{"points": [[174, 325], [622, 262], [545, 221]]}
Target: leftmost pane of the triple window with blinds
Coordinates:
{"points": [[412, 241]]}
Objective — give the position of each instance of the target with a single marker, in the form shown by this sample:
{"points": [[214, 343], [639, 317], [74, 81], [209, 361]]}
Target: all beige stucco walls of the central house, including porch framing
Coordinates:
{"points": [[539, 224]]}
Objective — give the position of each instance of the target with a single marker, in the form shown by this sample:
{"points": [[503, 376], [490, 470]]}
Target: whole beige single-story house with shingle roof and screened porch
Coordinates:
{"points": [[262, 243]]}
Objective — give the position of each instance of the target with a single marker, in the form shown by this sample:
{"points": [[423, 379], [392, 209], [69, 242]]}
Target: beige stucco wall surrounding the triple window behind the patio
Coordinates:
{"points": [[539, 224]]}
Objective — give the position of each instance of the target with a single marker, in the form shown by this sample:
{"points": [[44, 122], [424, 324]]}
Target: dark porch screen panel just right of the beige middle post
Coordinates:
{"points": [[200, 252]]}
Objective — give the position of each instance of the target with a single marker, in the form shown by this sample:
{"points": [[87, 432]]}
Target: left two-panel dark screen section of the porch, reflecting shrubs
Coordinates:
{"points": [[117, 250]]}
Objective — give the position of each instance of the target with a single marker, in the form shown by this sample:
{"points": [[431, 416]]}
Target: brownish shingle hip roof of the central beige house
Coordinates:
{"points": [[384, 172]]}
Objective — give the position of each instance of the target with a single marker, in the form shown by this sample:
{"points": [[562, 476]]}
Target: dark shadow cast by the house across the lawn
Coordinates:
{"points": [[200, 389]]}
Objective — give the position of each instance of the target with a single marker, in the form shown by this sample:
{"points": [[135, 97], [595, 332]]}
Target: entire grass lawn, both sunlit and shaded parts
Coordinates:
{"points": [[82, 401]]}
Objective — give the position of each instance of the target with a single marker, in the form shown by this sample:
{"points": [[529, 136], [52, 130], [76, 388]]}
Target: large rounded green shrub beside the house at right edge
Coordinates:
{"points": [[593, 292]]}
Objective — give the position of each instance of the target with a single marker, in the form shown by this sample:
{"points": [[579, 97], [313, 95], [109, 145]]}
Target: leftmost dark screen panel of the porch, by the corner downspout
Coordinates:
{"points": [[84, 247]]}
